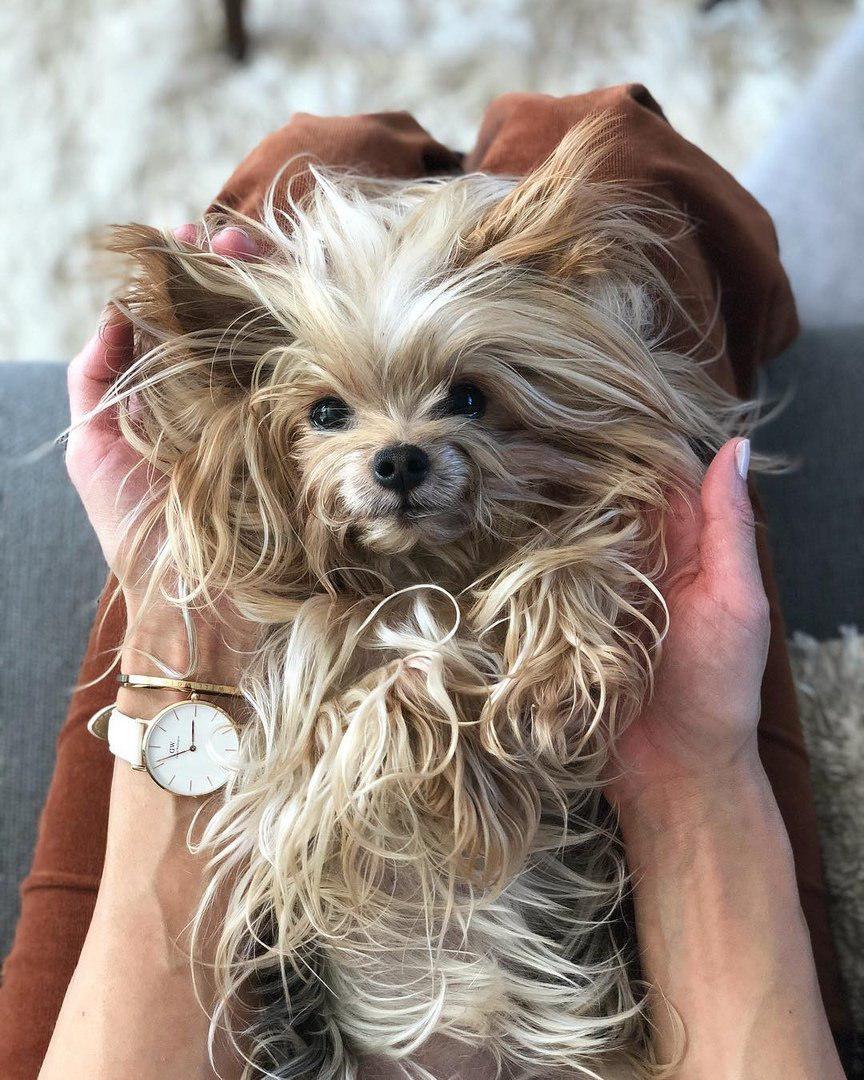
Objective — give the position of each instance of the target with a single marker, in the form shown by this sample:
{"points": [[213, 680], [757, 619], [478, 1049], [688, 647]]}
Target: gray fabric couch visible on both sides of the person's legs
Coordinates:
{"points": [[51, 568]]}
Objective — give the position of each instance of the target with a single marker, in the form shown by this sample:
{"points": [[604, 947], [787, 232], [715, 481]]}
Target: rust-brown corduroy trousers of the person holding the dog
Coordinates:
{"points": [[728, 264]]}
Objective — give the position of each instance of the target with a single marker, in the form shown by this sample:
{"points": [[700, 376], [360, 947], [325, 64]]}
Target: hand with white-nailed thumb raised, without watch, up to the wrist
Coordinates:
{"points": [[700, 724]]}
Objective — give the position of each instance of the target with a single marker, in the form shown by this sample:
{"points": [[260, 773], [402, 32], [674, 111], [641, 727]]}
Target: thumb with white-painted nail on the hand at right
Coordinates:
{"points": [[730, 566]]}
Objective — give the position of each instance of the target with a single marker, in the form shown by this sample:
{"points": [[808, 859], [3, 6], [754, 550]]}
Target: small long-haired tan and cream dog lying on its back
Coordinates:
{"points": [[425, 443]]}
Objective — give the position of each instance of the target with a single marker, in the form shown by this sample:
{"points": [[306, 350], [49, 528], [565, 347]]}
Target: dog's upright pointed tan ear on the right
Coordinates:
{"points": [[562, 220]]}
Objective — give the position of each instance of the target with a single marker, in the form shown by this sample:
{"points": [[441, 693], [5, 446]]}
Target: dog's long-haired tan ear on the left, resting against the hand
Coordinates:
{"points": [[196, 408]]}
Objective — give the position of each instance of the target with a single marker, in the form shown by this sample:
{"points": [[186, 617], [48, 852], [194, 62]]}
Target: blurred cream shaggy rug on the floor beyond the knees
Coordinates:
{"points": [[124, 111]]}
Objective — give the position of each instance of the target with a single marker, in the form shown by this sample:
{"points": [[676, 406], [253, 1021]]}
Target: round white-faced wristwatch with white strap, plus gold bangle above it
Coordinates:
{"points": [[191, 748]]}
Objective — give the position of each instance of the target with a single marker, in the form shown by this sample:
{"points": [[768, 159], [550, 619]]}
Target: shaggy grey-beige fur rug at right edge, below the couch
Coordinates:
{"points": [[831, 691]]}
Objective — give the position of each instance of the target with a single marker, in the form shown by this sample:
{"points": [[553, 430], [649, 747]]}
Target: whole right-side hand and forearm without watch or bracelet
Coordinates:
{"points": [[722, 936]]}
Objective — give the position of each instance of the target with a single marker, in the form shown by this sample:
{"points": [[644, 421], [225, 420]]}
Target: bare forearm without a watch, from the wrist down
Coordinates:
{"points": [[722, 935]]}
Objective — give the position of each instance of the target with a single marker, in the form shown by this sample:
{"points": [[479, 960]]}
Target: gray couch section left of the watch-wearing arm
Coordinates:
{"points": [[51, 574]]}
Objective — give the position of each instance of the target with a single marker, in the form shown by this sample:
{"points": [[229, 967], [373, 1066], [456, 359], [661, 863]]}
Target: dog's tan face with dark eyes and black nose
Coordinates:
{"points": [[420, 448]]}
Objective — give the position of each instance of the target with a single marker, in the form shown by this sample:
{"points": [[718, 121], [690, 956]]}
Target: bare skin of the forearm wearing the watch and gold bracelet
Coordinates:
{"points": [[132, 1007]]}
